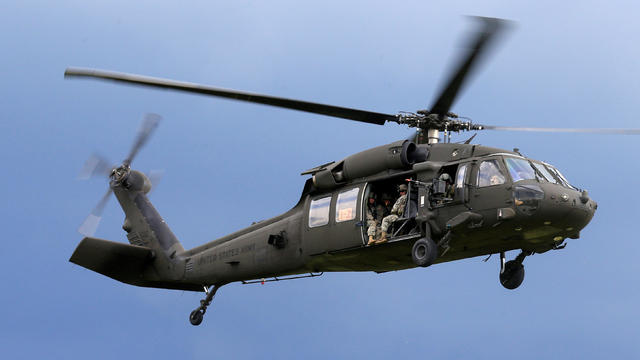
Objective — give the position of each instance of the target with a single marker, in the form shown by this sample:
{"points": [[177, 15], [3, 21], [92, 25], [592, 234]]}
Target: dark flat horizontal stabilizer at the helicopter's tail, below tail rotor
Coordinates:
{"points": [[119, 261]]}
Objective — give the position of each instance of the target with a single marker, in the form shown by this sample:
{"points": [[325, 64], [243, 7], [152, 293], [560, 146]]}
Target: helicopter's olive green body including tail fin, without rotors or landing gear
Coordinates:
{"points": [[471, 200]]}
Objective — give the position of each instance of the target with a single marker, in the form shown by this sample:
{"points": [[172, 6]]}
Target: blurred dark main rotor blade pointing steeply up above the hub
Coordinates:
{"points": [[476, 48]]}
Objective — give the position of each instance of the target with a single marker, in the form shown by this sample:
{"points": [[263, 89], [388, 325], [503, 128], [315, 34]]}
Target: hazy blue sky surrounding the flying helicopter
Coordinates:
{"points": [[228, 164]]}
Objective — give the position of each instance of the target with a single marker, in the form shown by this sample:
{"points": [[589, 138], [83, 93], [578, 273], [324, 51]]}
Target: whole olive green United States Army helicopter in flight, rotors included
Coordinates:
{"points": [[452, 201]]}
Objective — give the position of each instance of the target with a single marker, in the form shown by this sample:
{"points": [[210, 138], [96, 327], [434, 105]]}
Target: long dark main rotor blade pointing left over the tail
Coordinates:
{"points": [[316, 108]]}
